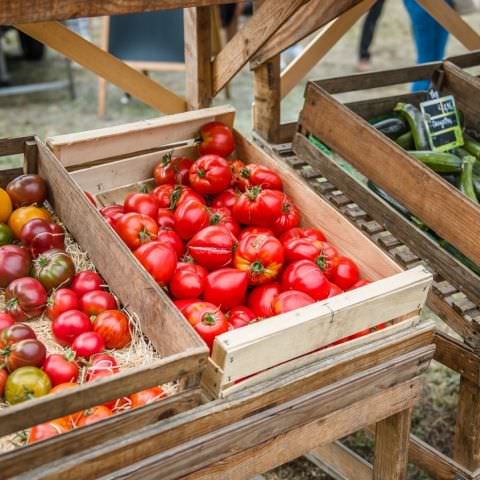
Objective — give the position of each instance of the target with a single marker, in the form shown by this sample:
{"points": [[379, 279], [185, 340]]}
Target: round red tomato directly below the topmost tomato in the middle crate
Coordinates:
{"points": [[210, 174]]}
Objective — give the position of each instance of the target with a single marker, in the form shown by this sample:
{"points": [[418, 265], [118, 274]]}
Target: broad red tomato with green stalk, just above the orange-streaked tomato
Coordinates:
{"points": [[258, 207]]}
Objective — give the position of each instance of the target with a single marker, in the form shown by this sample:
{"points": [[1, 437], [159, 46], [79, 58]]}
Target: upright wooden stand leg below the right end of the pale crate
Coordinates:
{"points": [[391, 447]]}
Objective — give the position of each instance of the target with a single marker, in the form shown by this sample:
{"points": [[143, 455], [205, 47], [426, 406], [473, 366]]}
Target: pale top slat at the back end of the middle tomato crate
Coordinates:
{"points": [[85, 147]]}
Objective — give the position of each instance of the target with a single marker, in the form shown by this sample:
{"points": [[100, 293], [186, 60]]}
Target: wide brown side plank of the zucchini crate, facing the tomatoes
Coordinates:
{"points": [[412, 184]]}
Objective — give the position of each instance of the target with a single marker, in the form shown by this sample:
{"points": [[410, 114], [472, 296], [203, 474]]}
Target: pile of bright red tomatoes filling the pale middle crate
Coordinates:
{"points": [[225, 241]]}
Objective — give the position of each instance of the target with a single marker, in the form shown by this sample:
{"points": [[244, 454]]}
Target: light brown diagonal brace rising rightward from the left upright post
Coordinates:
{"points": [[267, 19]]}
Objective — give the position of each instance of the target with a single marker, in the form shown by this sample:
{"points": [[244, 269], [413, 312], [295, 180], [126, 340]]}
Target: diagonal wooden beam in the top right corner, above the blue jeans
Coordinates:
{"points": [[453, 22]]}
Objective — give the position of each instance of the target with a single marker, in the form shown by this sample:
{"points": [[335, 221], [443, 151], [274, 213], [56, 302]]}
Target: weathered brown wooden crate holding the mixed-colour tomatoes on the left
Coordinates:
{"points": [[182, 356]]}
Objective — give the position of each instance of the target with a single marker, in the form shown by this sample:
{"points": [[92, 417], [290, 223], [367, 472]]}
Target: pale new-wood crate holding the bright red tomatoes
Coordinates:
{"points": [[109, 162]]}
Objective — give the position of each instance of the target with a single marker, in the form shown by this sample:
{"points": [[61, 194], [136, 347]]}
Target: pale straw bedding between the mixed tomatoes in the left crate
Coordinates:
{"points": [[139, 352]]}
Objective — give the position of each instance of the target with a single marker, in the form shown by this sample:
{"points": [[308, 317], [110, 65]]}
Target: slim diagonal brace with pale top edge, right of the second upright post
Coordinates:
{"points": [[320, 46]]}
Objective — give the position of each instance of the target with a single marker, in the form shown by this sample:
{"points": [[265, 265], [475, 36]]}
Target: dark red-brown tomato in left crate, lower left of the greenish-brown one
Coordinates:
{"points": [[25, 298]]}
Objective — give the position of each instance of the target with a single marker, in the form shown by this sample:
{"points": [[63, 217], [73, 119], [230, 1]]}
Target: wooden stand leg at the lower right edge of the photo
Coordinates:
{"points": [[466, 449]]}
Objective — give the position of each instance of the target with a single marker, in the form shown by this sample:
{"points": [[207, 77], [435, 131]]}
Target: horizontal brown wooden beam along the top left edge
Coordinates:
{"points": [[26, 11]]}
